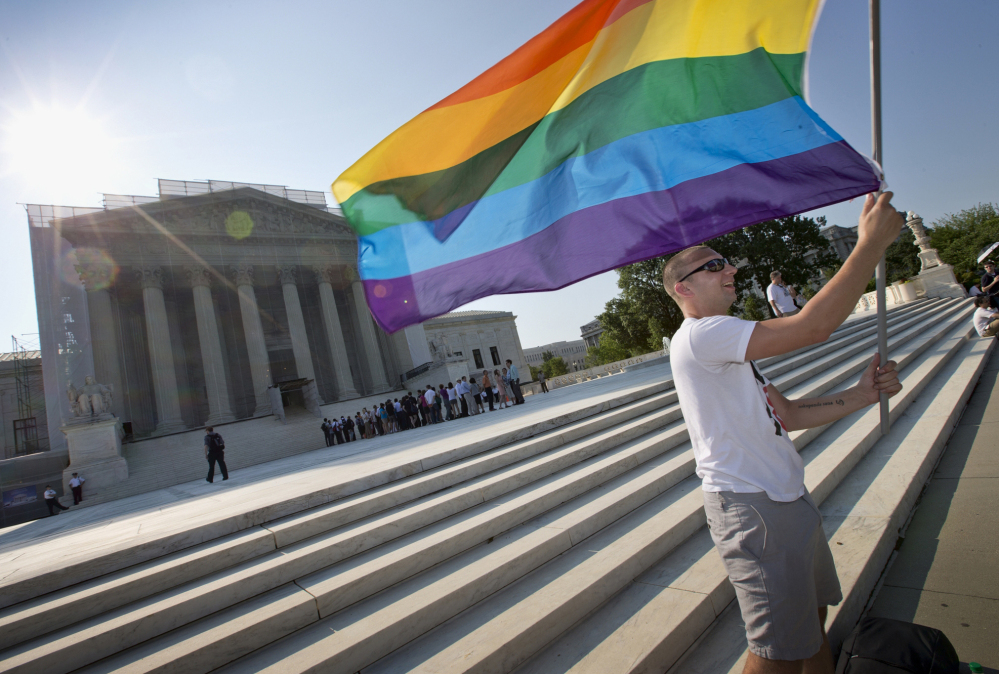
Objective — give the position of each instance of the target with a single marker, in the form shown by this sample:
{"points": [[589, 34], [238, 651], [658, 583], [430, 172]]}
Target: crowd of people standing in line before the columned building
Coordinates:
{"points": [[455, 400]]}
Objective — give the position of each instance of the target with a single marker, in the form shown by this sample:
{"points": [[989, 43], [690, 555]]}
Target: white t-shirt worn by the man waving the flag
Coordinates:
{"points": [[740, 444]]}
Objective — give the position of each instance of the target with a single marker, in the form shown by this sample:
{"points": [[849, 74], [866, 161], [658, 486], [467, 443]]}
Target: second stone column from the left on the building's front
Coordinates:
{"points": [[168, 417]]}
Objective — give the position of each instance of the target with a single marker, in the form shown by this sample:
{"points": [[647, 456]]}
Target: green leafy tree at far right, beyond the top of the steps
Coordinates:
{"points": [[959, 238]]}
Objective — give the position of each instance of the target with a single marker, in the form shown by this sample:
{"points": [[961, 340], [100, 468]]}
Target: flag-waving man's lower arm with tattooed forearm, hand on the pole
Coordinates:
{"points": [[812, 412]]}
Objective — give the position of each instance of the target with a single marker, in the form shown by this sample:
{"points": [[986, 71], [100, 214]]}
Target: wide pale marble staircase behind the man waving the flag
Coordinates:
{"points": [[575, 542]]}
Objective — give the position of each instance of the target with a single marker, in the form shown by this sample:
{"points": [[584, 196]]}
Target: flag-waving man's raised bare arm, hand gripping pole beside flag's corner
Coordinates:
{"points": [[880, 224]]}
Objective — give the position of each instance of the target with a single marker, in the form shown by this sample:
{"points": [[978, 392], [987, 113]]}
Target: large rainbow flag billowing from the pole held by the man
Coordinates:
{"points": [[627, 129]]}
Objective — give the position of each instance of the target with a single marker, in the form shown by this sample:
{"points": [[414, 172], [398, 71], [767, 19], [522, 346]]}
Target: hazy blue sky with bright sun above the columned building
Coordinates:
{"points": [[109, 96]]}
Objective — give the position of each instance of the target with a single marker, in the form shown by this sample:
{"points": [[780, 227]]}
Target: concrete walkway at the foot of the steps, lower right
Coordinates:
{"points": [[945, 574]]}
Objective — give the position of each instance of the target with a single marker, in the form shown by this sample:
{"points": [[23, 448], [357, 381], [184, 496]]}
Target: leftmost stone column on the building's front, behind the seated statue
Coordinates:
{"points": [[103, 337]]}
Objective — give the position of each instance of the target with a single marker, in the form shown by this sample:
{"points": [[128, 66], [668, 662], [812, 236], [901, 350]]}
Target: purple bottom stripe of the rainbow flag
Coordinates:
{"points": [[624, 231]]}
